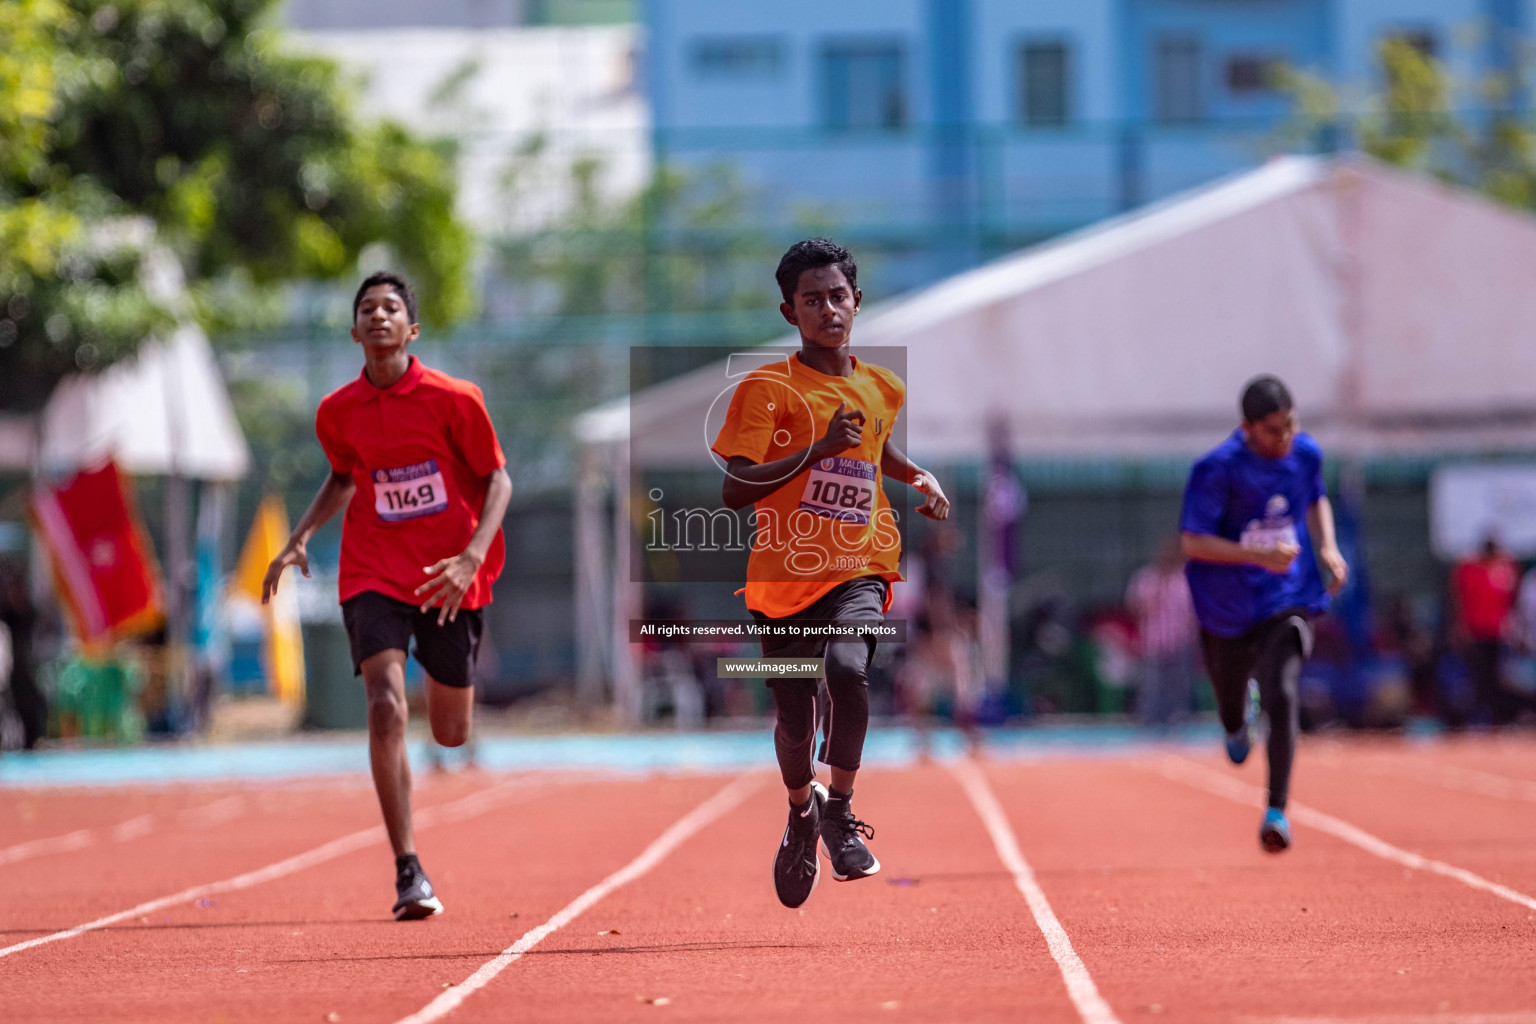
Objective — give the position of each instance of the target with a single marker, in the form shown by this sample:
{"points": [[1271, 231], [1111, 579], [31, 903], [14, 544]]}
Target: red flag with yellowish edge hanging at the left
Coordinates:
{"points": [[104, 566]]}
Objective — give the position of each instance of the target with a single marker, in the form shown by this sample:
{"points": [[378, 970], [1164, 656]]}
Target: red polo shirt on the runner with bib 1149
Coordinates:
{"points": [[419, 454]]}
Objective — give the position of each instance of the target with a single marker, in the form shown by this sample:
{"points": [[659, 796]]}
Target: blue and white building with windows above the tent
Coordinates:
{"points": [[956, 128]]}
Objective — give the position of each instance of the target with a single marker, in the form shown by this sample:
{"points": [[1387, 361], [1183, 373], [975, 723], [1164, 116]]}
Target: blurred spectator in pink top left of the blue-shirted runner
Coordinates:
{"points": [[1167, 632]]}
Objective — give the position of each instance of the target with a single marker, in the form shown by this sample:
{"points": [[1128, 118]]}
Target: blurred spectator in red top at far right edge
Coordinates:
{"points": [[1483, 595]]}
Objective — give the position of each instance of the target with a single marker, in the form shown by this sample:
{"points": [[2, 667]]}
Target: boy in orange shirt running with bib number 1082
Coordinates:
{"points": [[809, 441]]}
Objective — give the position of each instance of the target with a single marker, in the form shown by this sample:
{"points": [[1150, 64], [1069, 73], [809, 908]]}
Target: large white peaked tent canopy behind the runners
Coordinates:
{"points": [[1399, 311]]}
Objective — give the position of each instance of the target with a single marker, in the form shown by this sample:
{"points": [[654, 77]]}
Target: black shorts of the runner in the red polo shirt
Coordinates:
{"points": [[377, 623]]}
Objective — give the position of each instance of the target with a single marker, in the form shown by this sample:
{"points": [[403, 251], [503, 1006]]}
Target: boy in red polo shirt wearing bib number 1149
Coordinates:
{"points": [[415, 463]]}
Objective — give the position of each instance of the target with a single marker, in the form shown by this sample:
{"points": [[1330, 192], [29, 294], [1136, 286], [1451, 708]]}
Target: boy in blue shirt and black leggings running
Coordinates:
{"points": [[1259, 535]]}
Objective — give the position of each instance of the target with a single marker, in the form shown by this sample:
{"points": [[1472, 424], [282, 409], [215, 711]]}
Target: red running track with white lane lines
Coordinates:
{"points": [[1148, 865]]}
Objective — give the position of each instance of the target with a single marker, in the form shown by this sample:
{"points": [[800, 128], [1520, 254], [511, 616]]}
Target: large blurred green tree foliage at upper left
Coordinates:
{"points": [[248, 160]]}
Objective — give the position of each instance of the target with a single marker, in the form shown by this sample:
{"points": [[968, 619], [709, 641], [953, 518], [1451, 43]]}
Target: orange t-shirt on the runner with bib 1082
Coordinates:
{"points": [[830, 521]]}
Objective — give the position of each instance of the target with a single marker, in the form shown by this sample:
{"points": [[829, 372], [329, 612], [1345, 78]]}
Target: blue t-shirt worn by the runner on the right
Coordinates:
{"points": [[1257, 503]]}
